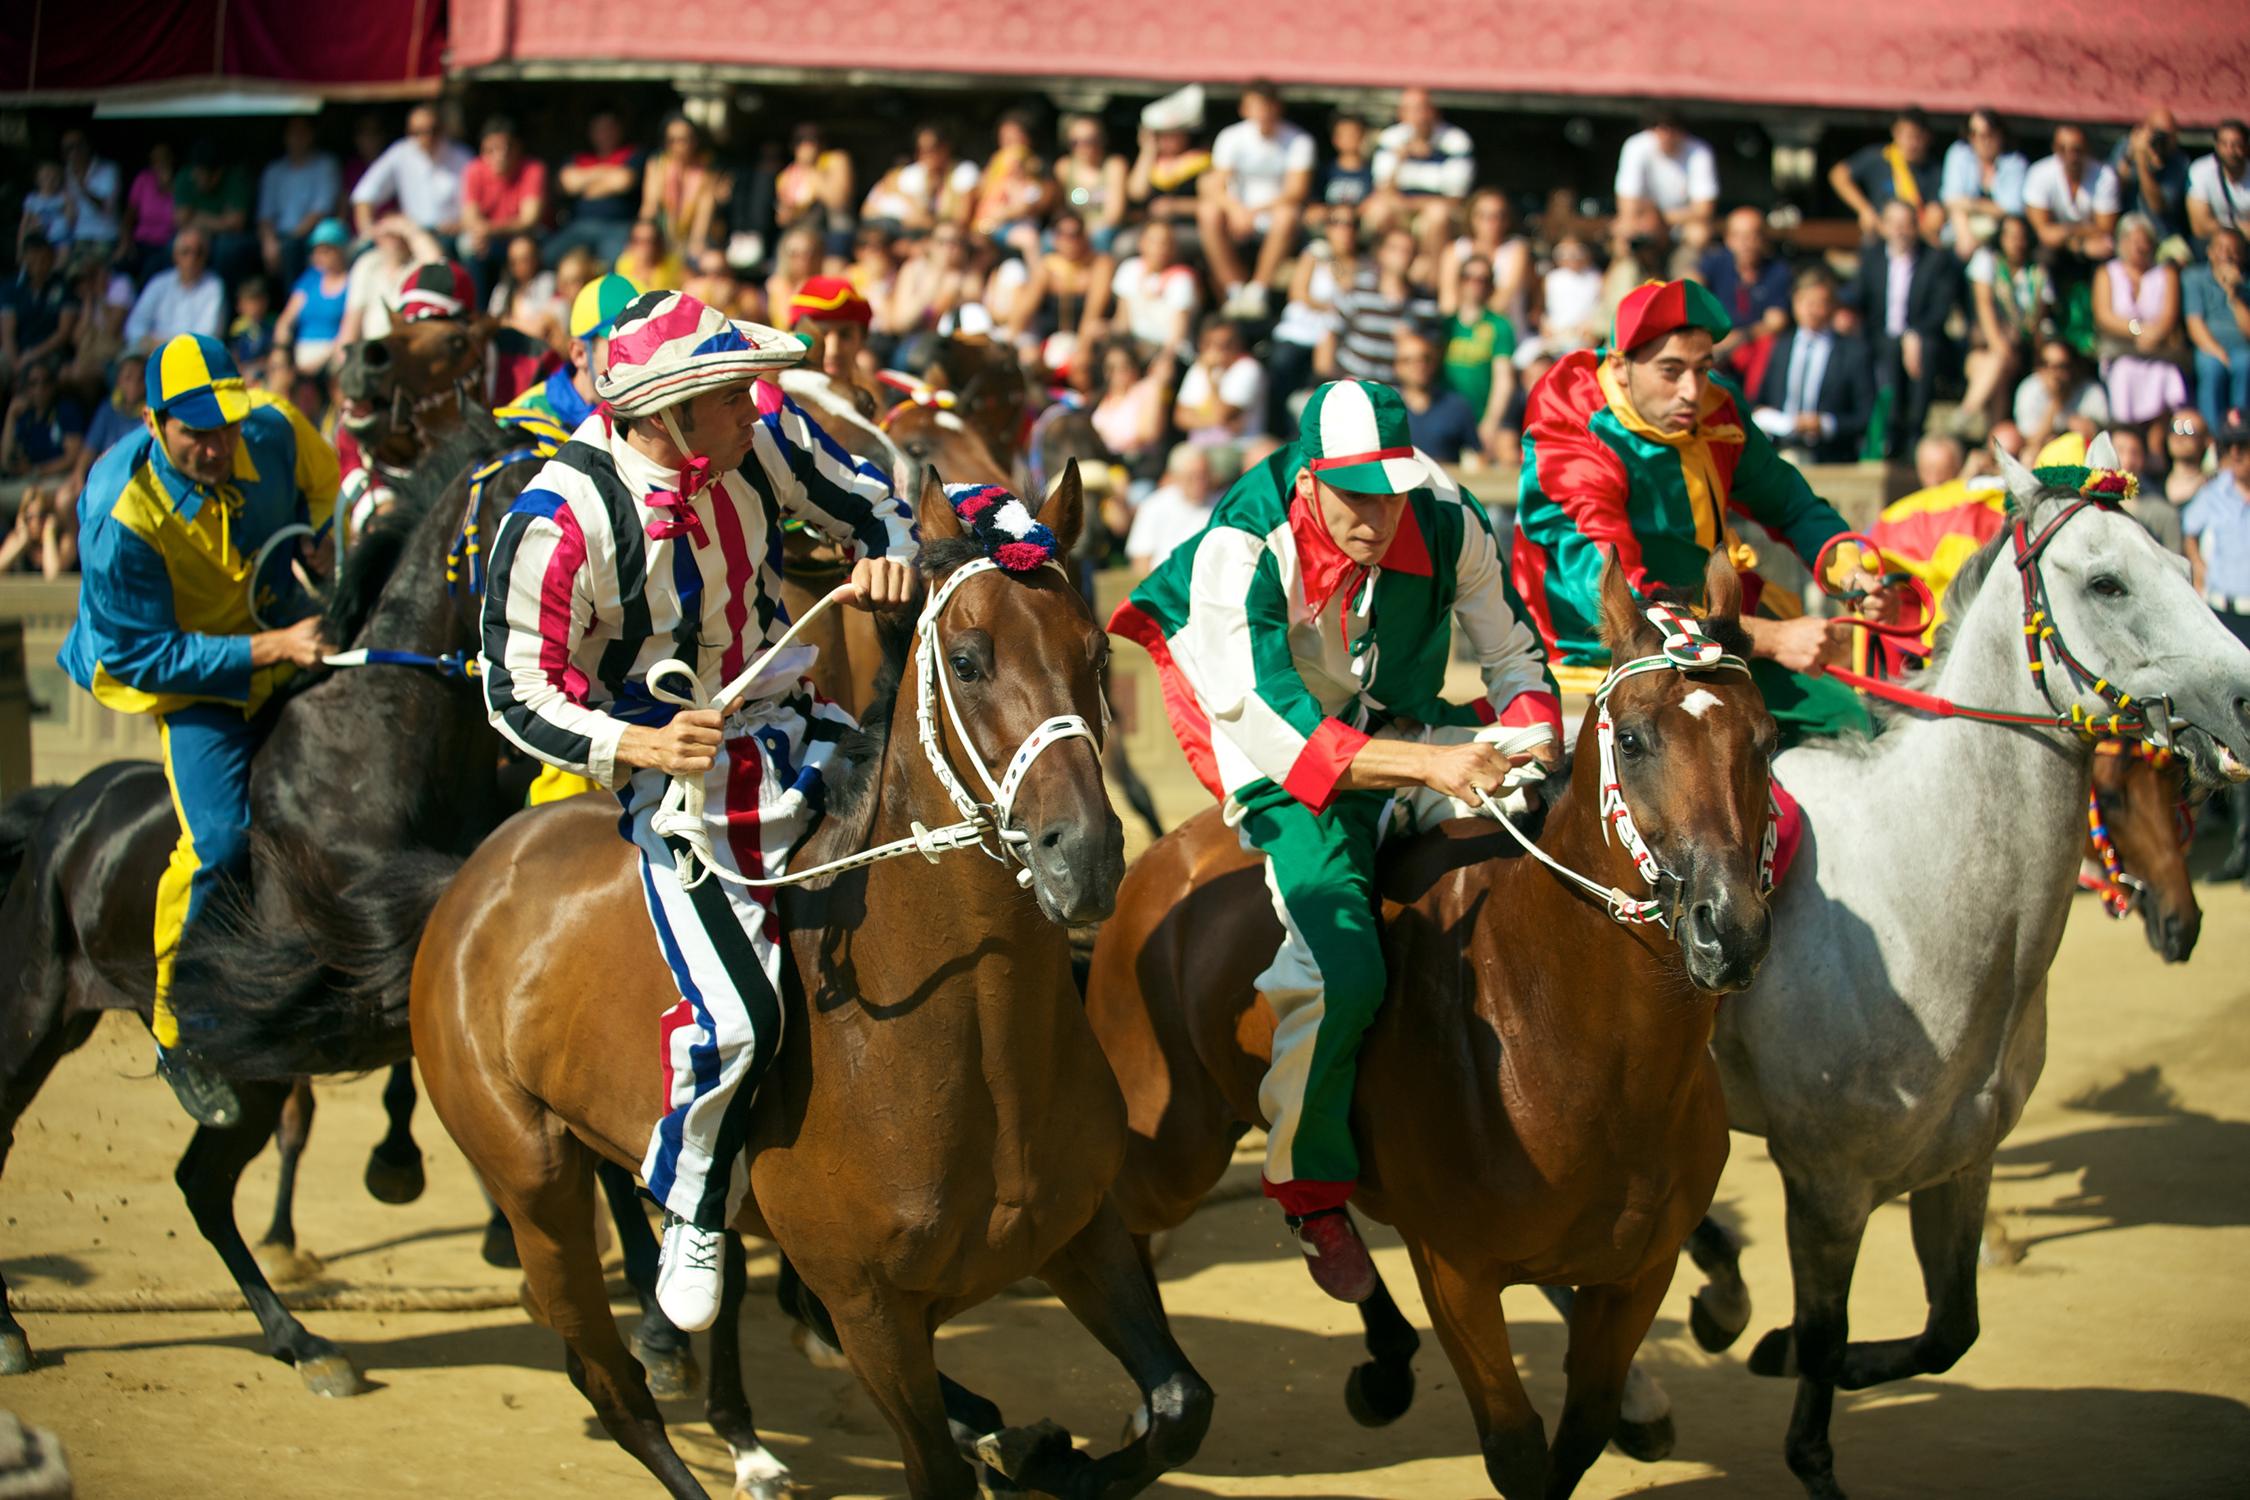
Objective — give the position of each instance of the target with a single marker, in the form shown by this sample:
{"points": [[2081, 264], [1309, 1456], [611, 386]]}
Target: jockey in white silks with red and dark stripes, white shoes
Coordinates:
{"points": [[656, 532]]}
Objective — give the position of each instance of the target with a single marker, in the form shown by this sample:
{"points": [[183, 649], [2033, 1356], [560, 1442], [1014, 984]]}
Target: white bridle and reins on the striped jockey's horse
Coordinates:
{"points": [[681, 815]]}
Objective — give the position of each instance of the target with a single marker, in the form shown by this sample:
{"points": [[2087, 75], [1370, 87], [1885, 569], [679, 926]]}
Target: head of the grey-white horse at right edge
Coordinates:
{"points": [[2125, 611]]}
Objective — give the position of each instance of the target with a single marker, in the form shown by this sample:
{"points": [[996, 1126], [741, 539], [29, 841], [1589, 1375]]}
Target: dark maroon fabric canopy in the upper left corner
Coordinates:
{"points": [[78, 48]]}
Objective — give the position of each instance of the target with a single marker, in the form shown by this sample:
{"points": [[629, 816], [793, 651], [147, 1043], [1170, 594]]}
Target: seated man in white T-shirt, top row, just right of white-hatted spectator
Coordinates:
{"points": [[1259, 181]]}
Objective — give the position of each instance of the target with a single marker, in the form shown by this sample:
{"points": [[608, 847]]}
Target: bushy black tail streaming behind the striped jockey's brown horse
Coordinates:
{"points": [[318, 991]]}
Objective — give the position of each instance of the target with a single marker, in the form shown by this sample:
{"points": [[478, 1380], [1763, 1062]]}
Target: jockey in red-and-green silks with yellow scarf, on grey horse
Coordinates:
{"points": [[1641, 451]]}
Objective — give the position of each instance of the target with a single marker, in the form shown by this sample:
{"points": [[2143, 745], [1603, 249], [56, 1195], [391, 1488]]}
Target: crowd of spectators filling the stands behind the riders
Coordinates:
{"points": [[1189, 287]]}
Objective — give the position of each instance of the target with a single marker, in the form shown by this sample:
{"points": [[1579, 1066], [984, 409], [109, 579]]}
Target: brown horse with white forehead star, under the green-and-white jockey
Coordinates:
{"points": [[1538, 1099]]}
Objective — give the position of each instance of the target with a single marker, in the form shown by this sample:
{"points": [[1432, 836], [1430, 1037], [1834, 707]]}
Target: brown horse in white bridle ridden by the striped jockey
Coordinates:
{"points": [[939, 1121]]}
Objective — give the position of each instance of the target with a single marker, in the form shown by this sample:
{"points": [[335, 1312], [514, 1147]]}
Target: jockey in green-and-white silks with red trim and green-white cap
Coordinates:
{"points": [[1304, 642]]}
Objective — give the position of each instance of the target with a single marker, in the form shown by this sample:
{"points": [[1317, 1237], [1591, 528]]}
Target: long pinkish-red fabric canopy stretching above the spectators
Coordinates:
{"points": [[2080, 60]]}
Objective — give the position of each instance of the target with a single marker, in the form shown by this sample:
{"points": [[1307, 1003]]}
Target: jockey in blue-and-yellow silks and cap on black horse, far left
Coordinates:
{"points": [[170, 530]]}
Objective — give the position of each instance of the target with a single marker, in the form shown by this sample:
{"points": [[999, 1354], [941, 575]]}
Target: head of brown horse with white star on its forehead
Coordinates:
{"points": [[1693, 754]]}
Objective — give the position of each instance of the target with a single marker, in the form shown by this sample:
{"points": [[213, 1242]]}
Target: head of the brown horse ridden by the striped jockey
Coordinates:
{"points": [[1020, 649]]}
